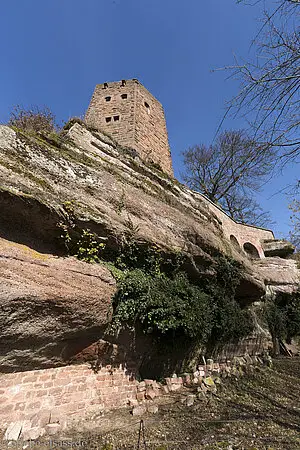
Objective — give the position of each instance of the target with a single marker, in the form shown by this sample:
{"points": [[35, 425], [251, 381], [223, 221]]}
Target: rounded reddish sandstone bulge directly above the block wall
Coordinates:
{"points": [[50, 308]]}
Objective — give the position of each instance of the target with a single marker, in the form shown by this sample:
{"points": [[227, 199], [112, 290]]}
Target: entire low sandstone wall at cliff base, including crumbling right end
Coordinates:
{"points": [[48, 401]]}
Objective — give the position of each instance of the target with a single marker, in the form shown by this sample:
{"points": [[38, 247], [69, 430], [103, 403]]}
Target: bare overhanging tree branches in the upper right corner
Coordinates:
{"points": [[269, 97]]}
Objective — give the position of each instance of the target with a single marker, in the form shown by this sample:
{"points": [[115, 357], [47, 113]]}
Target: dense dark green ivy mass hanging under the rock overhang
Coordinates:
{"points": [[173, 304]]}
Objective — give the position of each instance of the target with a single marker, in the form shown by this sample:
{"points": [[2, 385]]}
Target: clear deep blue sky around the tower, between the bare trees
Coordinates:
{"points": [[54, 52]]}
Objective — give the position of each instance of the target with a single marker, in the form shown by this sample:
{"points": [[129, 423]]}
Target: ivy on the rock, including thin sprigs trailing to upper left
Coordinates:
{"points": [[155, 292]]}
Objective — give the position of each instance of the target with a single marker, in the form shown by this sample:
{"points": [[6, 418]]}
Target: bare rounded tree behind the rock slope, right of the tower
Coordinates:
{"points": [[229, 172]]}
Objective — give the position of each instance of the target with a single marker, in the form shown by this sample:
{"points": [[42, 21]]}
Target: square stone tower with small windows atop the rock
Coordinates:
{"points": [[131, 115]]}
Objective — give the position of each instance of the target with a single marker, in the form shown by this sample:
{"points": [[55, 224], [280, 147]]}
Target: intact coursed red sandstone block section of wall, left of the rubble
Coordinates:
{"points": [[63, 392]]}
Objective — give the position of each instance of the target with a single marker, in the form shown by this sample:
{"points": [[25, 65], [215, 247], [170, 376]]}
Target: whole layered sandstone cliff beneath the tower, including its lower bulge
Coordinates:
{"points": [[52, 307]]}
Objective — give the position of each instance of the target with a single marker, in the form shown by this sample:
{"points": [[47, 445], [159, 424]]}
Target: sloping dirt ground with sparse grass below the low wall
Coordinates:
{"points": [[258, 411]]}
